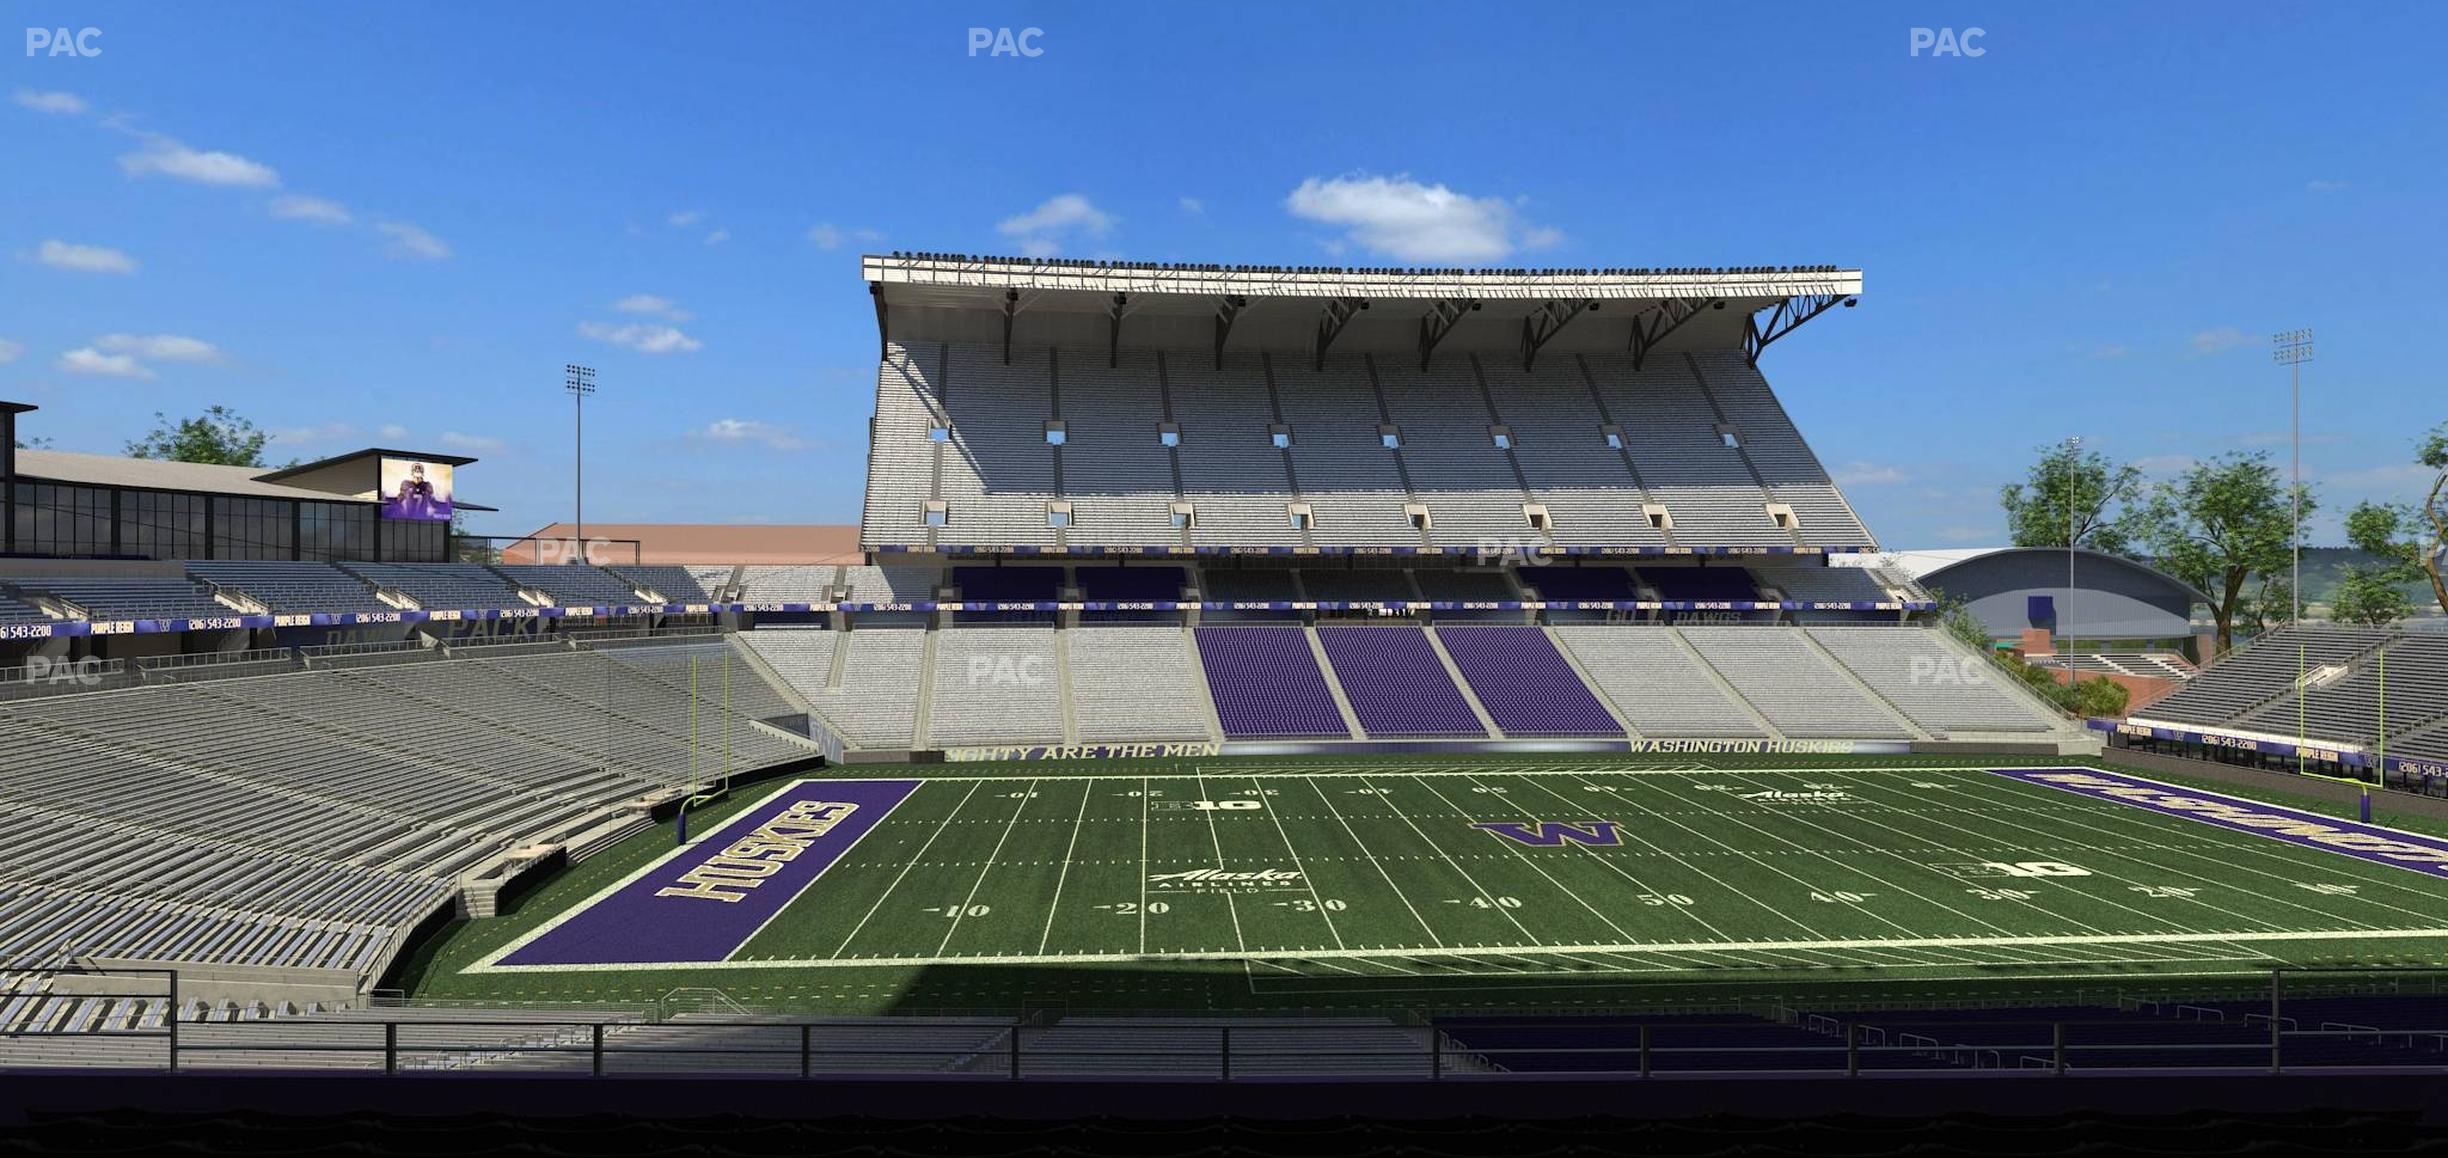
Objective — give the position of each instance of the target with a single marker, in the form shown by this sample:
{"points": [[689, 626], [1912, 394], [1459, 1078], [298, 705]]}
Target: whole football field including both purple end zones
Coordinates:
{"points": [[1375, 875]]}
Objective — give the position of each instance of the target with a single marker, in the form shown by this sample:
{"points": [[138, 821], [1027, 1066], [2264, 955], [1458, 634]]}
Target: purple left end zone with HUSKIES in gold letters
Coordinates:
{"points": [[716, 895]]}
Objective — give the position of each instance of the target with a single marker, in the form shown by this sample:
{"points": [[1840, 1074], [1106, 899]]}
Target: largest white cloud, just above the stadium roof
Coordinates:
{"points": [[1416, 222]]}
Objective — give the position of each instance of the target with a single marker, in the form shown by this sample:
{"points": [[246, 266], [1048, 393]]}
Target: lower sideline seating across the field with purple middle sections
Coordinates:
{"points": [[1017, 684]]}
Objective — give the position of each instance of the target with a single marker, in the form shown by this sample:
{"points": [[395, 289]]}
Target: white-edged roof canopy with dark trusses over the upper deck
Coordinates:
{"points": [[1401, 310]]}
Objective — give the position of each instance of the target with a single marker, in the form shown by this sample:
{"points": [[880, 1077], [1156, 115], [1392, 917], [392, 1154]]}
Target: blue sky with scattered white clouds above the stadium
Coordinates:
{"points": [[395, 224]]}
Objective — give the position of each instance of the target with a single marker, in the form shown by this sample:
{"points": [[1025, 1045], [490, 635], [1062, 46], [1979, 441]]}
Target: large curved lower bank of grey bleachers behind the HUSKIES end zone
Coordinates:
{"points": [[315, 819]]}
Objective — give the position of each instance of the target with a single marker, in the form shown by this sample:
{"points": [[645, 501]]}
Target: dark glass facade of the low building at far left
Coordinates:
{"points": [[67, 520]]}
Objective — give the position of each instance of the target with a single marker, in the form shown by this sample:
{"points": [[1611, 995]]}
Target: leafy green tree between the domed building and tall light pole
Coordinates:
{"points": [[2222, 528]]}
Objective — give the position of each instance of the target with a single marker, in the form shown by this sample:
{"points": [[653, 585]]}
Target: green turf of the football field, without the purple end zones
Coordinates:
{"points": [[1338, 885]]}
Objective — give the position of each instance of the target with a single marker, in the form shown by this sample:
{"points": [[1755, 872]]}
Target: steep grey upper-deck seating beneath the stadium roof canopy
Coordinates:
{"points": [[1056, 449]]}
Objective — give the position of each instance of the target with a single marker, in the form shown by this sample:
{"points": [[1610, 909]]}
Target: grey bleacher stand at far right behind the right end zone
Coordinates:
{"points": [[2354, 687]]}
